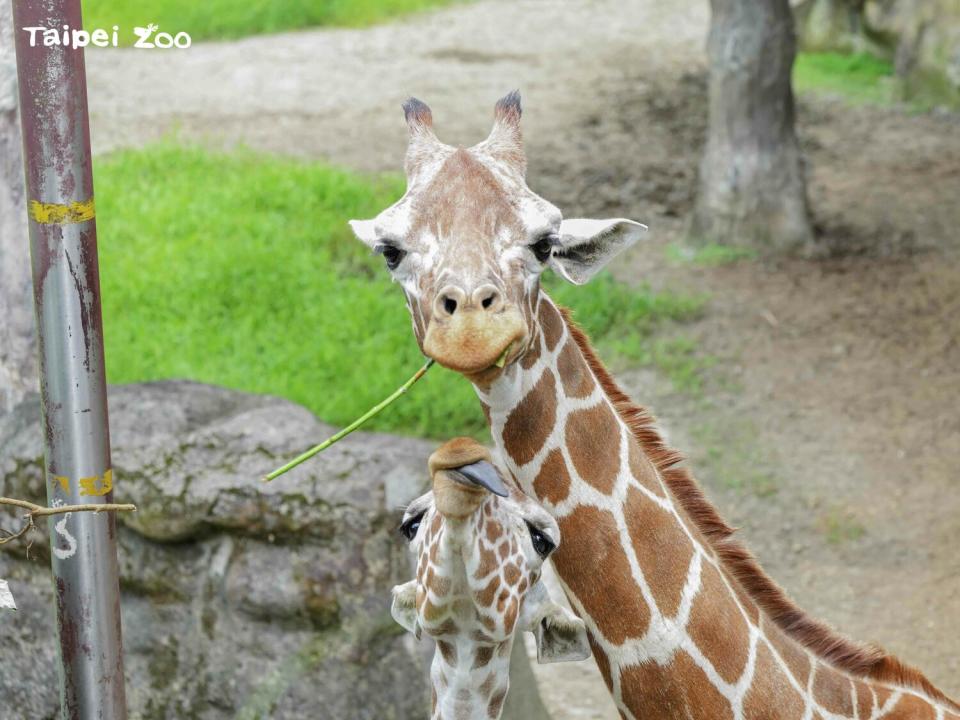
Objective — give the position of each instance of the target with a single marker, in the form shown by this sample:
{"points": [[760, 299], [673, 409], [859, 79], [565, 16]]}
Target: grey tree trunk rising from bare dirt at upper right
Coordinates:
{"points": [[752, 190]]}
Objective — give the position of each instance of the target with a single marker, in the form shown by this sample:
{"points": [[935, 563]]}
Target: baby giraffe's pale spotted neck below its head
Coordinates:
{"points": [[470, 681]]}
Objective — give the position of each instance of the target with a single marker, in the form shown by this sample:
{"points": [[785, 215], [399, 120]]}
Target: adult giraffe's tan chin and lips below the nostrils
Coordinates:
{"points": [[476, 344]]}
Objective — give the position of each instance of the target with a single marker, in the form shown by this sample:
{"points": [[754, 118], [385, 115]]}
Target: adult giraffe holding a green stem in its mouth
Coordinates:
{"points": [[683, 621]]}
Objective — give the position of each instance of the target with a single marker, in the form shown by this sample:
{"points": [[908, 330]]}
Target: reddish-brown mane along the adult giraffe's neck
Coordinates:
{"points": [[866, 661]]}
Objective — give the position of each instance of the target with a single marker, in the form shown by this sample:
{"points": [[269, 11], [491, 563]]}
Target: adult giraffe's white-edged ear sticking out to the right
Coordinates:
{"points": [[587, 245]]}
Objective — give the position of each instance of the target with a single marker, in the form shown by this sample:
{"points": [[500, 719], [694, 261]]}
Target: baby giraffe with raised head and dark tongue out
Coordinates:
{"points": [[480, 548]]}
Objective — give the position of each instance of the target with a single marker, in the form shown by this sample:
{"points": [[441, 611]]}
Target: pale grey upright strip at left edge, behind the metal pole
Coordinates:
{"points": [[18, 362]]}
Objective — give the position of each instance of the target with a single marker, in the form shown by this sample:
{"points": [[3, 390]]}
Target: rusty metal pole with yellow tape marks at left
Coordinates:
{"points": [[66, 283]]}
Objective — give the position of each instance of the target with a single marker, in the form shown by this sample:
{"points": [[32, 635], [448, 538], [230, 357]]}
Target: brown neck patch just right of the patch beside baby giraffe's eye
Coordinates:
{"points": [[662, 548]]}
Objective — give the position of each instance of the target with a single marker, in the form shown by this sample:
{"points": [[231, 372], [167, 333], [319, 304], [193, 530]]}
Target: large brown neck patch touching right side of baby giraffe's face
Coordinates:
{"points": [[592, 557]]}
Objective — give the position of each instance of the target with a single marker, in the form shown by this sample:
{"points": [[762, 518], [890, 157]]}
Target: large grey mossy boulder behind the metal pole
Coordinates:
{"points": [[240, 599]]}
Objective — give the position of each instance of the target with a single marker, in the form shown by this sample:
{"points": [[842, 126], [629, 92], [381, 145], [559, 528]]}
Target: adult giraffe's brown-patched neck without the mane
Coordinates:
{"points": [[673, 631]]}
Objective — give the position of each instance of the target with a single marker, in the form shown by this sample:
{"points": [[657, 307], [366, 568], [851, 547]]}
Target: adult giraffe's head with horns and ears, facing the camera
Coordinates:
{"points": [[468, 241]]}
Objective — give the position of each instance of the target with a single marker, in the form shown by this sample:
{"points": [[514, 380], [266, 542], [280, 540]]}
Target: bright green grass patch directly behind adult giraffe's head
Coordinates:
{"points": [[240, 270]]}
